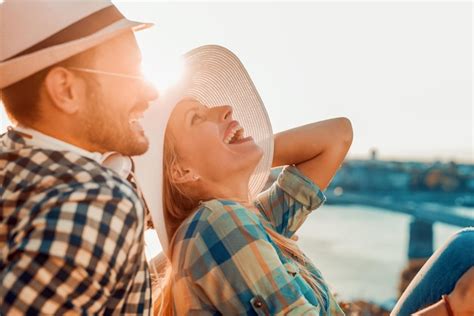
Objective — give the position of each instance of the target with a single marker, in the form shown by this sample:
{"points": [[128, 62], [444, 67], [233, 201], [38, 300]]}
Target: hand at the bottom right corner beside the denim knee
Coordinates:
{"points": [[462, 297]]}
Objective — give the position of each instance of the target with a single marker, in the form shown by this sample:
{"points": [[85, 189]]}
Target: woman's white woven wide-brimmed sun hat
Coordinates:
{"points": [[214, 76]]}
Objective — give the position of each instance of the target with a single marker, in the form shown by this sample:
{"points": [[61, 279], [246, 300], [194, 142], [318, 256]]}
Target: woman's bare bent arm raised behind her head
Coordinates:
{"points": [[317, 149]]}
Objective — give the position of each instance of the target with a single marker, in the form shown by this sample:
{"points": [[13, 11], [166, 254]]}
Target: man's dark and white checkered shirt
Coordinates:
{"points": [[71, 235]]}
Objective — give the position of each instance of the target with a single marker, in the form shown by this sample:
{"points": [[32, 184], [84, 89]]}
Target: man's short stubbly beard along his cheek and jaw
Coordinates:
{"points": [[108, 129]]}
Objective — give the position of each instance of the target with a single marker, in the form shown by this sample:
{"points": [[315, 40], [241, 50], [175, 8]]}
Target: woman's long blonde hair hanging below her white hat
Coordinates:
{"points": [[178, 204]]}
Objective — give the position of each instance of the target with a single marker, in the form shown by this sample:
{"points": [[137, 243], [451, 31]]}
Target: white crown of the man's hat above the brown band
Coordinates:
{"points": [[25, 23]]}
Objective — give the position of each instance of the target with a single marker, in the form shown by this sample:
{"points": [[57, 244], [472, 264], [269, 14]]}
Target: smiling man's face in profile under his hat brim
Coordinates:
{"points": [[114, 104]]}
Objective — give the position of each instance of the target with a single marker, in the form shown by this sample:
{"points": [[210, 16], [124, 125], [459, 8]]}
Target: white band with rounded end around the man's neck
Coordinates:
{"points": [[121, 164]]}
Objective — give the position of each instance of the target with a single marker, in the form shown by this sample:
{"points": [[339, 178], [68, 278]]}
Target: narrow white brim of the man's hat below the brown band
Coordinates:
{"points": [[16, 69]]}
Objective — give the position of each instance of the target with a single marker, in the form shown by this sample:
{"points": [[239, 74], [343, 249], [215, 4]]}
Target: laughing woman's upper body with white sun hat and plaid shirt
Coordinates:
{"points": [[230, 251]]}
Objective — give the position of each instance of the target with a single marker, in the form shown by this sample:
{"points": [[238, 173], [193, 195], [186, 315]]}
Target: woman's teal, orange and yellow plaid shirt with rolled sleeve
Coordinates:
{"points": [[226, 263]]}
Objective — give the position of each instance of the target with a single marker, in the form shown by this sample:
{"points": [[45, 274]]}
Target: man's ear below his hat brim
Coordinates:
{"points": [[63, 88]]}
